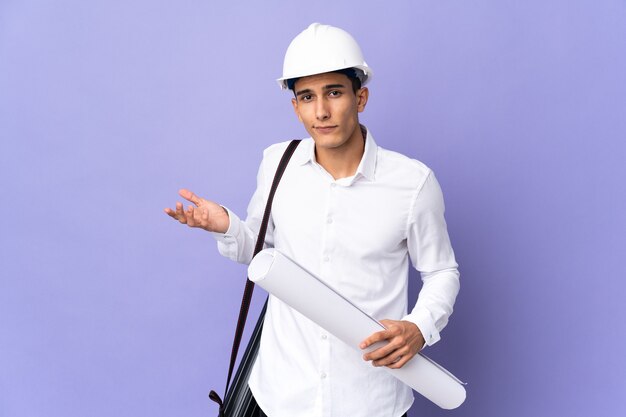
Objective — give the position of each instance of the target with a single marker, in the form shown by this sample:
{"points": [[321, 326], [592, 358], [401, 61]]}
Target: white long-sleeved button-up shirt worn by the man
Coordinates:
{"points": [[357, 234]]}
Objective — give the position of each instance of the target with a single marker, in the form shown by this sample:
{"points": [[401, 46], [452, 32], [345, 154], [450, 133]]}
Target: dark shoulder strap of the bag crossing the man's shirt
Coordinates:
{"points": [[249, 289]]}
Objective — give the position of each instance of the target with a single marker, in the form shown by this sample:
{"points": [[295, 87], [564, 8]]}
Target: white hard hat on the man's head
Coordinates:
{"points": [[323, 48]]}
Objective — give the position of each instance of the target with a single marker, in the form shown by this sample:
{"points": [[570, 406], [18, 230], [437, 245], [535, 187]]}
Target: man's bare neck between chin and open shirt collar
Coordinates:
{"points": [[343, 161]]}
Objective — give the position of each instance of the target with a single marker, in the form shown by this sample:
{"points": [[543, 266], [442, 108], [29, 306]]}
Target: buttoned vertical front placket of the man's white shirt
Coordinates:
{"points": [[327, 259]]}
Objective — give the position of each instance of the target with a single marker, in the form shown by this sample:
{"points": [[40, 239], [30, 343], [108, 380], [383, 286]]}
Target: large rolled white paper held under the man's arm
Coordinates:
{"points": [[301, 290]]}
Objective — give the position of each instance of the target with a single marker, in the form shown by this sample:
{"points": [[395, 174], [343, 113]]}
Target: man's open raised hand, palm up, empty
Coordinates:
{"points": [[206, 214]]}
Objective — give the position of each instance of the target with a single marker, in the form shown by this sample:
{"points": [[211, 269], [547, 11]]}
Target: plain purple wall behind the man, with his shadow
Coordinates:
{"points": [[107, 108]]}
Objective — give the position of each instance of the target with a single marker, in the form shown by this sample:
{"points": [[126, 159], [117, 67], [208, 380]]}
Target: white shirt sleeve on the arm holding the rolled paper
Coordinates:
{"points": [[432, 255]]}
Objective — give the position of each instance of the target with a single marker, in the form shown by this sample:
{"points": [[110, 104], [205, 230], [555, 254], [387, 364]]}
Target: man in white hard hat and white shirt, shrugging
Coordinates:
{"points": [[353, 214]]}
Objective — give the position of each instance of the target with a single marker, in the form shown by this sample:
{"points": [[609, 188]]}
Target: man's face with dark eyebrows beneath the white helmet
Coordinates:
{"points": [[328, 108]]}
